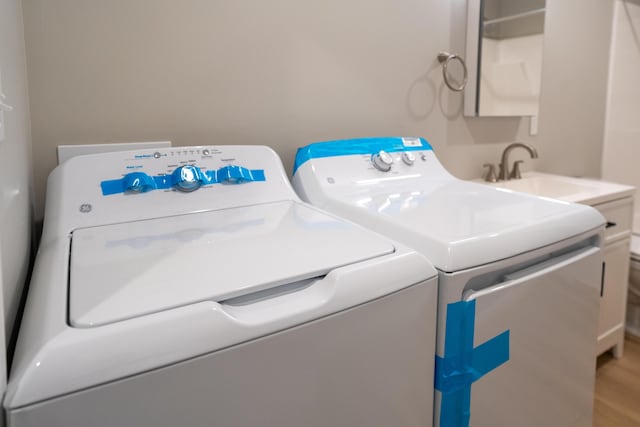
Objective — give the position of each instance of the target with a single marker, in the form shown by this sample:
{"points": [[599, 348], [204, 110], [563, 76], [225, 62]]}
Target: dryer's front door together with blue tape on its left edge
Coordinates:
{"points": [[526, 347]]}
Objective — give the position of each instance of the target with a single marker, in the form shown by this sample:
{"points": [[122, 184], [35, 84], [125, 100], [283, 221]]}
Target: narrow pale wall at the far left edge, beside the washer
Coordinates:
{"points": [[15, 164]]}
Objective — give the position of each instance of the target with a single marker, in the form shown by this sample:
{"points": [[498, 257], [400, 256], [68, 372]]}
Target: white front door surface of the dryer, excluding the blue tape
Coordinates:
{"points": [[551, 313]]}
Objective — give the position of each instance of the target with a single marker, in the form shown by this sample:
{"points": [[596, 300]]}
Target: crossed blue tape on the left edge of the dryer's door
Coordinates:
{"points": [[463, 364]]}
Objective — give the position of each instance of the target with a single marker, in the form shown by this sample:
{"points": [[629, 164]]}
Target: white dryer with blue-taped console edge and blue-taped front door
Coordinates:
{"points": [[519, 277]]}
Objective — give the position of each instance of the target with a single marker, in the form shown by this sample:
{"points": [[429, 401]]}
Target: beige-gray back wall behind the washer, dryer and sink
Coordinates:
{"points": [[286, 73]]}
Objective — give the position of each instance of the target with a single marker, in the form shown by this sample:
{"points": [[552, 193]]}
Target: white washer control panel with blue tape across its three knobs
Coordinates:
{"points": [[122, 186]]}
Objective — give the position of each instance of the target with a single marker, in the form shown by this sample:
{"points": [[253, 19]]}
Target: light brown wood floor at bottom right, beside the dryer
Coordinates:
{"points": [[617, 397]]}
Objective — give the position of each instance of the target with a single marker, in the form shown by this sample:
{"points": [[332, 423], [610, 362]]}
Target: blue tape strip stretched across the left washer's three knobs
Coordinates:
{"points": [[140, 182]]}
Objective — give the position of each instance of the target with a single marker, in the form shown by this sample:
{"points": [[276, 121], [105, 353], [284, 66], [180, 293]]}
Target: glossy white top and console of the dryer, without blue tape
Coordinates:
{"points": [[456, 224]]}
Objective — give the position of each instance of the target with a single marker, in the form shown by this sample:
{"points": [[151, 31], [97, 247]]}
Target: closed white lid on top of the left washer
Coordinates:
{"points": [[131, 269]]}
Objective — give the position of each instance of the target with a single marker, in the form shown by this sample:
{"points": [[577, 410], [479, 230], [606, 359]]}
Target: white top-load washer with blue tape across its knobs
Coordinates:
{"points": [[153, 304]]}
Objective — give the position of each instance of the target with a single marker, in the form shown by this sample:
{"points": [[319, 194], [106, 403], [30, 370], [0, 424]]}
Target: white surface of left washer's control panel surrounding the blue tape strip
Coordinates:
{"points": [[75, 199]]}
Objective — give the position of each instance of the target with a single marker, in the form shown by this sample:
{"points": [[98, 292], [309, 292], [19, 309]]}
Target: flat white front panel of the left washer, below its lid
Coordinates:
{"points": [[352, 368]]}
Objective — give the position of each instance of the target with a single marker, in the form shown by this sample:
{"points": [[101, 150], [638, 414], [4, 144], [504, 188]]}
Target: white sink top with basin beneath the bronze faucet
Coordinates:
{"points": [[580, 190]]}
